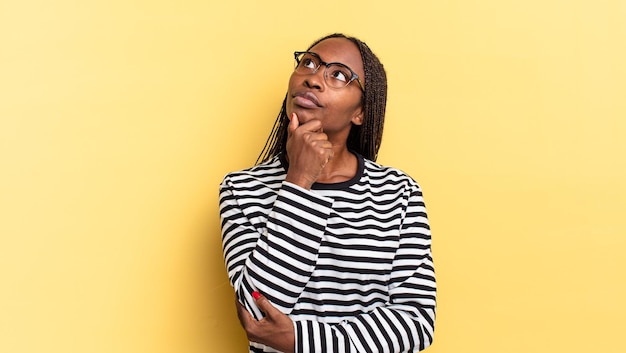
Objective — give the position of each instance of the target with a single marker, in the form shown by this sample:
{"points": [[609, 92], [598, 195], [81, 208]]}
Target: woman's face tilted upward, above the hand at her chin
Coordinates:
{"points": [[310, 97]]}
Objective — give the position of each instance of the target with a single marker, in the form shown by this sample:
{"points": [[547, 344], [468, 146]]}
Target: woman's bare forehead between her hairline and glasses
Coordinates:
{"points": [[340, 50]]}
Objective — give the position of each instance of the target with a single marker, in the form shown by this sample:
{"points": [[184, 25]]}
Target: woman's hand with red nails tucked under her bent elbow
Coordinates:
{"points": [[274, 330]]}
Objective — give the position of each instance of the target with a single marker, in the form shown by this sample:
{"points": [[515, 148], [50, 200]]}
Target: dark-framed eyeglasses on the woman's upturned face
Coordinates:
{"points": [[336, 75]]}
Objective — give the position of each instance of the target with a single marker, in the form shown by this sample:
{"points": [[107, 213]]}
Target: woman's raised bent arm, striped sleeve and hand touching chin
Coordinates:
{"points": [[278, 260]]}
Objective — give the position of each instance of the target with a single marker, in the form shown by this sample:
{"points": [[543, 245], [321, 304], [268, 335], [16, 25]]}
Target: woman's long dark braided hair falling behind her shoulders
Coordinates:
{"points": [[364, 139]]}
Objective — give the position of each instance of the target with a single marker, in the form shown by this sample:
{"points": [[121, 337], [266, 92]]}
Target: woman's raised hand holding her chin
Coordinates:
{"points": [[308, 151]]}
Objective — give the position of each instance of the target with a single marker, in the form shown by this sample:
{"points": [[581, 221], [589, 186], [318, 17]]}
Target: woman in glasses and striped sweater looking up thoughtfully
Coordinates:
{"points": [[328, 251]]}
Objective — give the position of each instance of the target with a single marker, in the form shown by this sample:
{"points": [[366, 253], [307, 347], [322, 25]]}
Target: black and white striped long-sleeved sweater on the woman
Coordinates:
{"points": [[349, 262]]}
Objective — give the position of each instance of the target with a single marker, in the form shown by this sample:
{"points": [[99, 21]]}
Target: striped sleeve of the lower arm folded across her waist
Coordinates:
{"points": [[406, 323]]}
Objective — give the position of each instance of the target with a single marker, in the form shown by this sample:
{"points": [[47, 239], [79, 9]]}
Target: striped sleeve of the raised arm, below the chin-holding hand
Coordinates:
{"points": [[276, 260]]}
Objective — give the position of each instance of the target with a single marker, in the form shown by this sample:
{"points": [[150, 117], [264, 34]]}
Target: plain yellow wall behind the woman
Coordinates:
{"points": [[118, 120]]}
